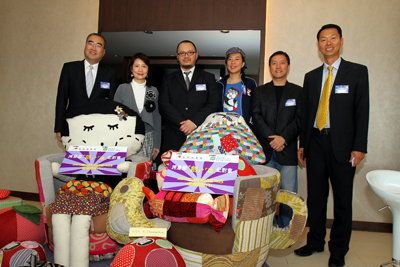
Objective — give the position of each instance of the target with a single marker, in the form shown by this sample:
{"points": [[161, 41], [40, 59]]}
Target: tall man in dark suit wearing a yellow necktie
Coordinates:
{"points": [[333, 142]]}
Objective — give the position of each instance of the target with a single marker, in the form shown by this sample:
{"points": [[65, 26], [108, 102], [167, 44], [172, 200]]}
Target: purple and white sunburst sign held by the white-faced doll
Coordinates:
{"points": [[93, 160]]}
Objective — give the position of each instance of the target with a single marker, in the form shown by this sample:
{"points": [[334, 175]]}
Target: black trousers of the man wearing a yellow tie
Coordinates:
{"points": [[322, 167]]}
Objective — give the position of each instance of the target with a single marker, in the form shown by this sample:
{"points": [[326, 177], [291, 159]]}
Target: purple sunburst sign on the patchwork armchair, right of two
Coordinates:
{"points": [[201, 173]]}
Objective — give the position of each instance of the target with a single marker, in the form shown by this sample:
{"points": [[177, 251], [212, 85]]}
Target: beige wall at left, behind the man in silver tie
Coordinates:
{"points": [[37, 37]]}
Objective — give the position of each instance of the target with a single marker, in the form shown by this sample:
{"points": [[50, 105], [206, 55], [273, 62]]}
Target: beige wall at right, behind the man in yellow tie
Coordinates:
{"points": [[371, 37]]}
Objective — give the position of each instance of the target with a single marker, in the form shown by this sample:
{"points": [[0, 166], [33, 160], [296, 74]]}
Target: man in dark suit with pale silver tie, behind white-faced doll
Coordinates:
{"points": [[83, 81]]}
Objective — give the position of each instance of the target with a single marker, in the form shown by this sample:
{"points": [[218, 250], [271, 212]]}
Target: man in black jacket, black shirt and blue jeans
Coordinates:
{"points": [[276, 120]]}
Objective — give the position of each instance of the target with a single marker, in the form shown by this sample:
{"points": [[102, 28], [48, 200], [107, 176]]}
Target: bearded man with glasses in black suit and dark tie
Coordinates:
{"points": [[187, 97]]}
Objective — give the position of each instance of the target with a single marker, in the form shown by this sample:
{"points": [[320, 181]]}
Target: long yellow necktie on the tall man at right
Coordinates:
{"points": [[323, 107]]}
